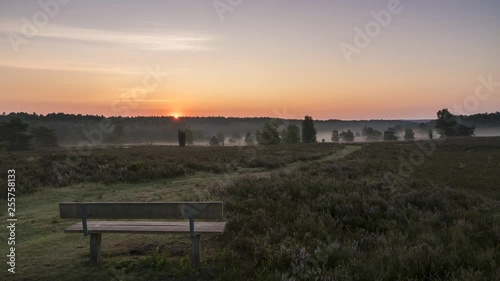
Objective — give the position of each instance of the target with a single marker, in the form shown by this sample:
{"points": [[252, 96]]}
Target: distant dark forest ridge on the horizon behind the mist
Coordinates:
{"points": [[72, 128]]}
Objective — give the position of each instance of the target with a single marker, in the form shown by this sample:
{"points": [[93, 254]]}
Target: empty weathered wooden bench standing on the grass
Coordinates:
{"points": [[137, 211]]}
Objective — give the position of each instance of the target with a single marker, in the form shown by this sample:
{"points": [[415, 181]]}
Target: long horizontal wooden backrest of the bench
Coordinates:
{"points": [[141, 210]]}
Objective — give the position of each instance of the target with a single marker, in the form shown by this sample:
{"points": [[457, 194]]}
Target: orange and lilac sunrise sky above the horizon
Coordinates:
{"points": [[334, 59]]}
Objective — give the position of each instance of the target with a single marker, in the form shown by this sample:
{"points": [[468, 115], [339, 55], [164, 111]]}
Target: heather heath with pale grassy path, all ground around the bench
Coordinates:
{"points": [[294, 212]]}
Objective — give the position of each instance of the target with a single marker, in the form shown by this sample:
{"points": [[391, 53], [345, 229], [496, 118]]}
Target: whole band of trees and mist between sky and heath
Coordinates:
{"points": [[22, 131]]}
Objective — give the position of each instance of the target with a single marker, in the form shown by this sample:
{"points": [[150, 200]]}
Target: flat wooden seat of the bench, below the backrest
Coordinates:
{"points": [[146, 227]]}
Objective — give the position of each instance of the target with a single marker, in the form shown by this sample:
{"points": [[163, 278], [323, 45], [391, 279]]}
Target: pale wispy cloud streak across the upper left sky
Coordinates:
{"points": [[57, 47]]}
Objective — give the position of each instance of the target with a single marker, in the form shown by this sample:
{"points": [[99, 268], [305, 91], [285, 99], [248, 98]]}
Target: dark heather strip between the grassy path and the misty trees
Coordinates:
{"points": [[62, 167]]}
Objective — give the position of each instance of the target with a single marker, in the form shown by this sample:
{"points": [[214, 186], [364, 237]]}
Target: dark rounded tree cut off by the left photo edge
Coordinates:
{"points": [[14, 136]]}
